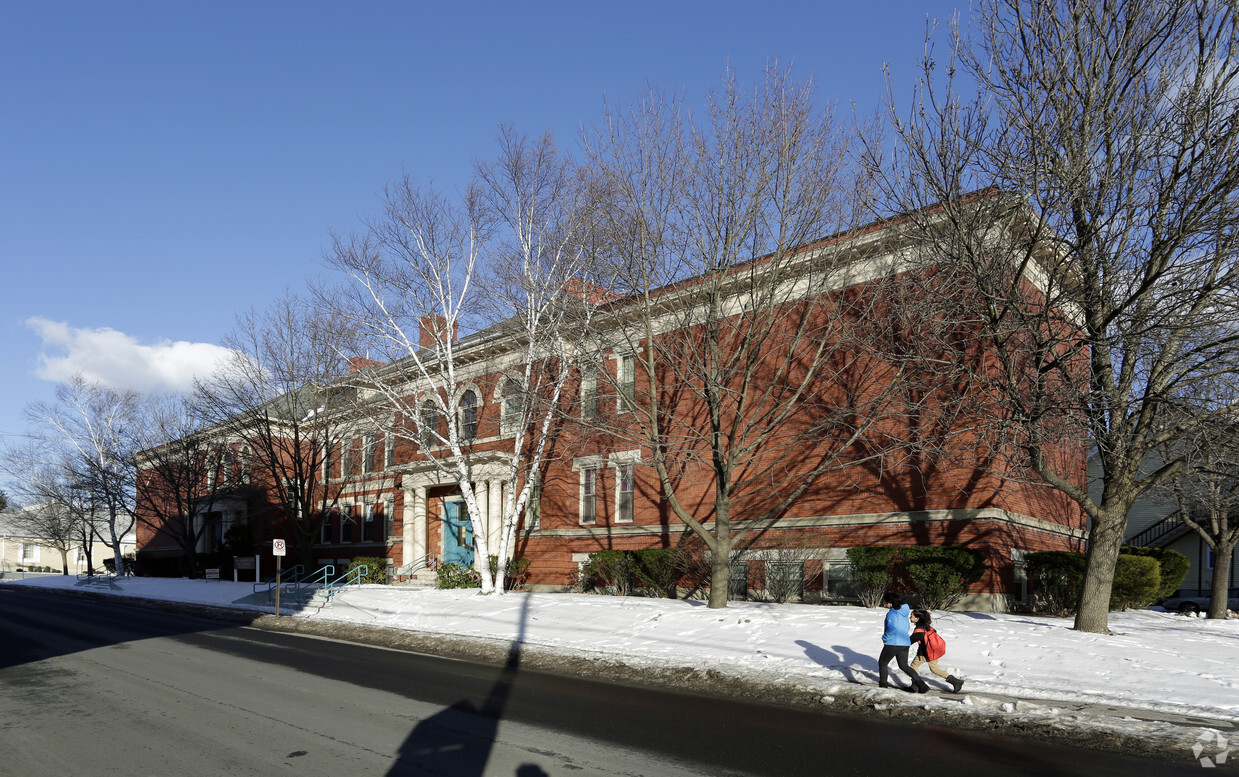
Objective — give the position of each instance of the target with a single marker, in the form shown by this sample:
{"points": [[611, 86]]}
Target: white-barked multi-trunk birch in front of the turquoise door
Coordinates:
{"points": [[506, 262]]}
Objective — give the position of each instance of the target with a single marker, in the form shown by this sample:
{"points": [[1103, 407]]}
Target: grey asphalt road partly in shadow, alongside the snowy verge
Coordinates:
{"points": [[97, 688]]}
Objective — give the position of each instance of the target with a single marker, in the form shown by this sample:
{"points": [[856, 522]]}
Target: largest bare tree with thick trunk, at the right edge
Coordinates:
{"points": [[1101, 265]]}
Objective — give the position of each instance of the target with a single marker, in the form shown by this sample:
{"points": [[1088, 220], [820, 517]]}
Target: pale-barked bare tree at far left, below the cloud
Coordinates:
{"points": [[89, 439]]}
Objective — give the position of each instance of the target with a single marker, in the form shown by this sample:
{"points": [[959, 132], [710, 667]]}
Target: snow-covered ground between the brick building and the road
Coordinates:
{"points": [[1158, 676]]}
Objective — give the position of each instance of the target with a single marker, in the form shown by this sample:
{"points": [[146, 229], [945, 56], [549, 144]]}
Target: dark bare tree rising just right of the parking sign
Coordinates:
{"points": [[281, 398]]}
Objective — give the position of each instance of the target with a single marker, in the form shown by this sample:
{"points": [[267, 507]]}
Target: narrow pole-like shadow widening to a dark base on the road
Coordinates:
{"points": [[459, 740]]}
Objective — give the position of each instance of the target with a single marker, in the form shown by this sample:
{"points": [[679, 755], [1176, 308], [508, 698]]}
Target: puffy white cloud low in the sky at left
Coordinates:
{"points": [[117, 360]]}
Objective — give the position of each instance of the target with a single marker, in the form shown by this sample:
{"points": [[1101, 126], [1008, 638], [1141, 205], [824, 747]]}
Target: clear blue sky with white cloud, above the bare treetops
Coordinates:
{"points": [[168, 165]]}
